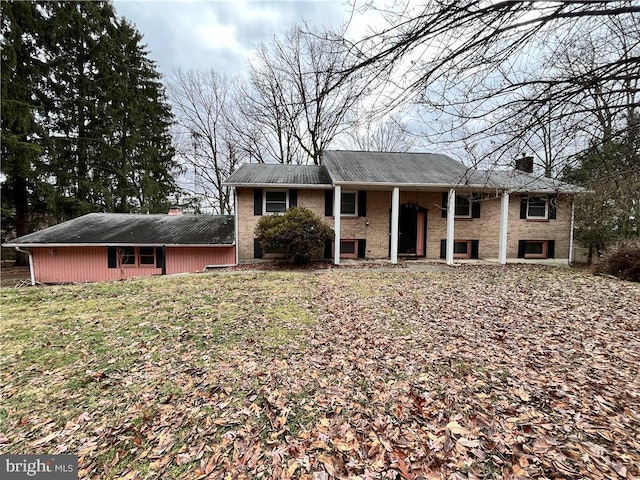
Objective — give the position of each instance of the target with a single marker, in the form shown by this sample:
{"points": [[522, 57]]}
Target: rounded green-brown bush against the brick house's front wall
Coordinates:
{"points": [[299, 234]]}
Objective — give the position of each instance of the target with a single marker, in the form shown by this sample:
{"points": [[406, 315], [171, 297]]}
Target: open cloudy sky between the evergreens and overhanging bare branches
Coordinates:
{"points": [[217, 34]]}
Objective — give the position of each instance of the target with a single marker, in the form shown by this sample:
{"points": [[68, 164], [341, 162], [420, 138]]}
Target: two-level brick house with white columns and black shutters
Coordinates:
{"points": [[391, 205]]}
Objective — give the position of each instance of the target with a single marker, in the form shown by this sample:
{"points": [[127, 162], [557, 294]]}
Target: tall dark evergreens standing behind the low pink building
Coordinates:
{"points": [[100, 138]]}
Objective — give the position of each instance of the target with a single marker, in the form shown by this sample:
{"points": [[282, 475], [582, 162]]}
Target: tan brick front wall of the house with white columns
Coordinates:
{"points": [[374, 228]]}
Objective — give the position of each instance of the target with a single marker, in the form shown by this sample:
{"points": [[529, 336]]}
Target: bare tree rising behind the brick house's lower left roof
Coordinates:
{"points": [[295, 94]]}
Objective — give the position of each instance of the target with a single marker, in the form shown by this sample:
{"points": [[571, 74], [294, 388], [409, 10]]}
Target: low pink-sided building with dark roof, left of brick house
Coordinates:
{"points": [[116, 246]]}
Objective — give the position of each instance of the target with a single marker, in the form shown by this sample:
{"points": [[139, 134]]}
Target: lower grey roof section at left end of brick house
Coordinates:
{"points": [[263, 174]]}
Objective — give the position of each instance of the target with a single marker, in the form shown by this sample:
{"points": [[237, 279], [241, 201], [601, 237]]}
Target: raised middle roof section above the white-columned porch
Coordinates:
{"points": [[392, 168]]}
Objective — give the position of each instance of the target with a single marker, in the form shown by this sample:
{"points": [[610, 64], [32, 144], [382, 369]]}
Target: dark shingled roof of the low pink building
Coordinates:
{"points": [[135, 229]]}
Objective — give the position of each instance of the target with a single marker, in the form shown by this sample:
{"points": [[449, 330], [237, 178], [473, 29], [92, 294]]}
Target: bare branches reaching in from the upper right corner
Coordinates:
{"points": [[478, 66]]}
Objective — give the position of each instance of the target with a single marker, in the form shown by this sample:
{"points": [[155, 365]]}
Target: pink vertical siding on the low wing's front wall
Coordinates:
{"points": [[89, 264]]}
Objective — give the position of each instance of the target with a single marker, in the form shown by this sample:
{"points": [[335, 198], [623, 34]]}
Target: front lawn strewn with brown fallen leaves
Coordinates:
{"points": [[487, 372]]}
